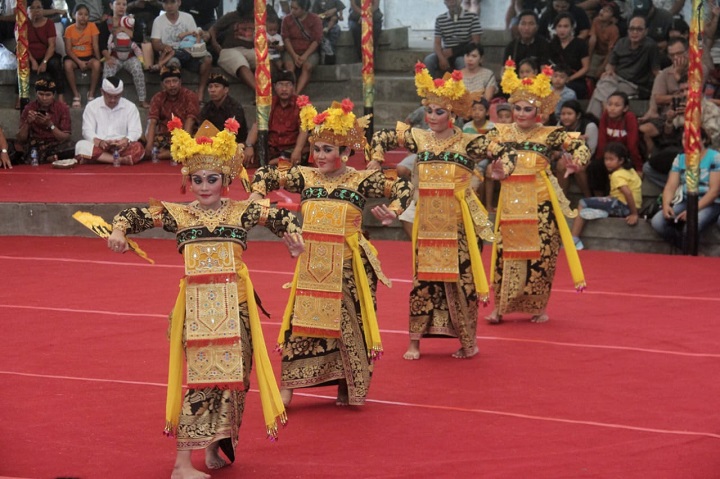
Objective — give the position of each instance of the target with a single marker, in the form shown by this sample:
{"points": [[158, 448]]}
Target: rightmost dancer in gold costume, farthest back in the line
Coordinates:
{"points": [[530, 214]]}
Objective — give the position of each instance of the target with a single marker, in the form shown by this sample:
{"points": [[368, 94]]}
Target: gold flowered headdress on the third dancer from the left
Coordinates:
{"points": [[448, 91]]}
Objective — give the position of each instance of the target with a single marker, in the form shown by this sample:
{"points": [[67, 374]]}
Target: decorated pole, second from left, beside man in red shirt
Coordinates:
{"points": [[263, 82]]}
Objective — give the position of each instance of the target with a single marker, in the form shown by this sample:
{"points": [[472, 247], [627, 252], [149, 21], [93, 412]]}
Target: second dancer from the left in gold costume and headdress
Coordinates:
{"points": [[330, 333]]}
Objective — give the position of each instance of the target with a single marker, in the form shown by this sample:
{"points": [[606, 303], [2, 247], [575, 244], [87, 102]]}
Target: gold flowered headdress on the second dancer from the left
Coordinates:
{"points": [[337, 125]]}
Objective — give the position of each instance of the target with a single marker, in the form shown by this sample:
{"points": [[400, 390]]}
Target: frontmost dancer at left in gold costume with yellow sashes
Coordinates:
{"points": [[212, 235]]}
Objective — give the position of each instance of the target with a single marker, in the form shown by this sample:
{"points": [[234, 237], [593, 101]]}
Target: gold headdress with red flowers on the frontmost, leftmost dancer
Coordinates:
{"points": [[210, 149]]}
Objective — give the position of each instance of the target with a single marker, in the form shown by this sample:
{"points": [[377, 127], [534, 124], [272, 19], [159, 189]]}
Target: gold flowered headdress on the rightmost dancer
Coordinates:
{"points": [[537, 90]]}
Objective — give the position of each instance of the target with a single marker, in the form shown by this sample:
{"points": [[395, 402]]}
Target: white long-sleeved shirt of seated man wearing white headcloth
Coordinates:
{"points": [[123, 121]]}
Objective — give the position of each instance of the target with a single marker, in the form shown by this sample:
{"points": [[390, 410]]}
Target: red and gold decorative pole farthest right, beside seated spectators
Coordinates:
{"points": [[691, 137]]}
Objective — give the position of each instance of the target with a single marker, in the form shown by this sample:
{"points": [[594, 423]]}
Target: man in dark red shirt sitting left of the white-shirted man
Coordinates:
{"points": [[44, 124]]}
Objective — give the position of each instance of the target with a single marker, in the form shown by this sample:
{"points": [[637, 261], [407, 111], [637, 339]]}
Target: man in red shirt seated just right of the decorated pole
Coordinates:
{"points": [[285, 138]]}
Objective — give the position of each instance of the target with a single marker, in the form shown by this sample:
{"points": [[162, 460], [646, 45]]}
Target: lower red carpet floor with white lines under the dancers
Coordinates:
{"points": [[621, 383]]}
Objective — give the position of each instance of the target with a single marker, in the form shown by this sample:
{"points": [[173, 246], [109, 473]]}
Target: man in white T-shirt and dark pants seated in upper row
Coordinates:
{"points": [[167, 33]]}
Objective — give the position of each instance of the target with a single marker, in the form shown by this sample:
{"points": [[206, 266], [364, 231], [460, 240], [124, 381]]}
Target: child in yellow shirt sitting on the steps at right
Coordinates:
{"points": [[625, 193]]}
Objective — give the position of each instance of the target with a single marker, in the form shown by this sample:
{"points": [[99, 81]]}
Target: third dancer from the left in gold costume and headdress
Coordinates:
{"points": [[449, 278]]}
